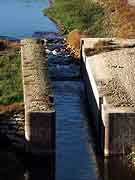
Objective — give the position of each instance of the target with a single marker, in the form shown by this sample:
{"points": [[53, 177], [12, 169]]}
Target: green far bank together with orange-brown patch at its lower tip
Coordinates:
{"points": [[75, 19]]}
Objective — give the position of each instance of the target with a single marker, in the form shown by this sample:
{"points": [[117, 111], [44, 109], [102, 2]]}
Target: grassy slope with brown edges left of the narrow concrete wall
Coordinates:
{"points": [[11, 93]]}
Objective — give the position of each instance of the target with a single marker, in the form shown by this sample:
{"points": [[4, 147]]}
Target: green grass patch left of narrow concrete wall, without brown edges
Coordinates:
{"points": [[10, 79]]}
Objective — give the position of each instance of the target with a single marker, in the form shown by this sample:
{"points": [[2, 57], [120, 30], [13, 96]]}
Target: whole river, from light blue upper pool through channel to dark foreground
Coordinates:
{"points": [[76, 155]]}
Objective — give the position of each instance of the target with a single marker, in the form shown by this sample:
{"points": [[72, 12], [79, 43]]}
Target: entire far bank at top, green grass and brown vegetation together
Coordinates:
{"points": [[108, 18]]}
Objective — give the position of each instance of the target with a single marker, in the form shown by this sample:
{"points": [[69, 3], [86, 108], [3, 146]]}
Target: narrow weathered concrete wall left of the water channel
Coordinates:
{"points": [[39, 109]]}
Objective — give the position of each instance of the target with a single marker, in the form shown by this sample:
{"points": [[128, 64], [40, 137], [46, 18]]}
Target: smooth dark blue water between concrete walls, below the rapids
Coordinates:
{"points": [[72, 158]]}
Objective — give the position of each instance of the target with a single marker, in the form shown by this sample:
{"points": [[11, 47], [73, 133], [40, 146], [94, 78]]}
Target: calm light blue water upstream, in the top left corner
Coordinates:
{"points": [[21, 18]]}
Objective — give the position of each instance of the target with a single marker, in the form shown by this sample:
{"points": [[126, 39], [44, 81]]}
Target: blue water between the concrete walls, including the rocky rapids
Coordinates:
{"points": [[72, 150]]}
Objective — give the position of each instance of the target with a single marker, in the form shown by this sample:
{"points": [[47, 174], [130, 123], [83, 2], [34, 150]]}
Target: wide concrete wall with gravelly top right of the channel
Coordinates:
{"points": [[111, 75]]}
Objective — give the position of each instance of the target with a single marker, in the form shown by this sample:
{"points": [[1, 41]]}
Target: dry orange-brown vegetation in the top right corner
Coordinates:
{"points": [[119, 19]]}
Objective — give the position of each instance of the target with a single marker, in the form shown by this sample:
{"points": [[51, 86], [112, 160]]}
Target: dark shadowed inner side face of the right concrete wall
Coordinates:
{"points": [[95, 124]]}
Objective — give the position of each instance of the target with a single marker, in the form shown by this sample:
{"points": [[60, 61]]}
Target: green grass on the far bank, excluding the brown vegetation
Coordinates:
{"points": [[77, 14]]}
